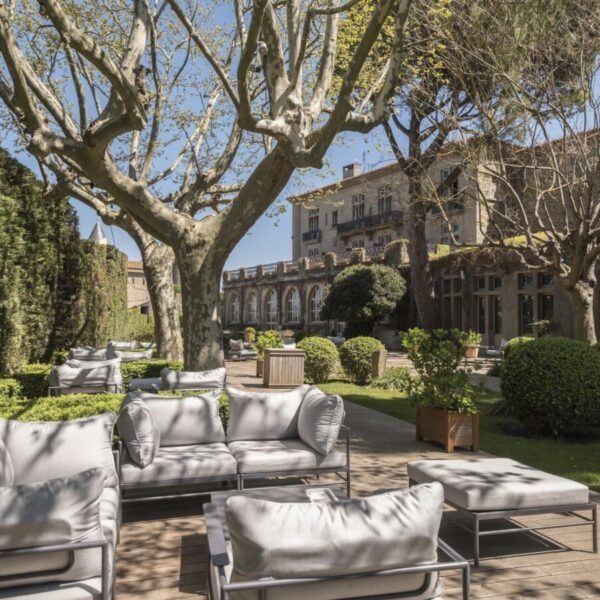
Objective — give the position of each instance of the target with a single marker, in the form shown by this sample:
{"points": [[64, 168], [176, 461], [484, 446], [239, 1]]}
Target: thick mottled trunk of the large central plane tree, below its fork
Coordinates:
{"points": [[201, 308]]}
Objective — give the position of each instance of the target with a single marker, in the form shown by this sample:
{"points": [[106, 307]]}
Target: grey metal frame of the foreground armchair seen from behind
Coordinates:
{"points": [[220, 560]]}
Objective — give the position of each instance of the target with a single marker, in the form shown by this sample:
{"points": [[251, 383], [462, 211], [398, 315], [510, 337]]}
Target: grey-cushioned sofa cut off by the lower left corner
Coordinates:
{"points": [[59, 509]]}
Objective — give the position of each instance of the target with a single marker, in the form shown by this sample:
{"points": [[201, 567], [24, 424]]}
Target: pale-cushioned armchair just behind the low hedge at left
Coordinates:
{"points": [[86, 377]]}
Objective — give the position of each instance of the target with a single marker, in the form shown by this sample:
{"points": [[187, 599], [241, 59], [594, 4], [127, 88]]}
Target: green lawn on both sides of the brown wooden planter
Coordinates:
{"points": [[501, 436]]}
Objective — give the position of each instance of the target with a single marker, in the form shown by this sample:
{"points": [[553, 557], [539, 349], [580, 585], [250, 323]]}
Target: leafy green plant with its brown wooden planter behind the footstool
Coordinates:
{"points": [[446, 411]]}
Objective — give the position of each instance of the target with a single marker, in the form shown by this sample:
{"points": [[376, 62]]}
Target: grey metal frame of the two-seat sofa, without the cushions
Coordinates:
{"points": [[344, 473]]}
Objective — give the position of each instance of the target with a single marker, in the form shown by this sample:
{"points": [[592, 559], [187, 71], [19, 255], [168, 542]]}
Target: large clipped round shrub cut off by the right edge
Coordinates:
{"points": [[552, 386]]}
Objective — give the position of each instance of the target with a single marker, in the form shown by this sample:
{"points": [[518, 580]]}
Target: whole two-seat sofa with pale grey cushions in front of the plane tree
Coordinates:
{"points": [[171, 444]]}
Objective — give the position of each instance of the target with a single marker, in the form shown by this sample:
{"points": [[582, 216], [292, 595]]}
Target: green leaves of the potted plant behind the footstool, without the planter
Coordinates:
{"points": [[436, 357]]}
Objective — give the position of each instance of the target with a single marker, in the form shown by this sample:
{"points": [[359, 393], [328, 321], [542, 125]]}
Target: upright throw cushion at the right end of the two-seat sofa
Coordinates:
{"points": [[320, 420]]}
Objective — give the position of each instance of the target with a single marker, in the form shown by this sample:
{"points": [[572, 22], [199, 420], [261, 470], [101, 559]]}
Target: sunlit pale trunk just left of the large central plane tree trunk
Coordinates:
{"points": [[158, 269]]}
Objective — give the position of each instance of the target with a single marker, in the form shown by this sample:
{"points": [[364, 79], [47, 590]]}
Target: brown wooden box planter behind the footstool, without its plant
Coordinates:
{"points": [[448, 428]]}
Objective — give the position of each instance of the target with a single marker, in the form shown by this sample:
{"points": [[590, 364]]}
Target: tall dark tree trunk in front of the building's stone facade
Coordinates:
{"points": [[420, 269]]}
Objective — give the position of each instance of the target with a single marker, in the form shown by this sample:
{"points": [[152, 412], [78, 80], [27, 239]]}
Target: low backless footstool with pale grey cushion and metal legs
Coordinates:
{"points": [[501, 488]]}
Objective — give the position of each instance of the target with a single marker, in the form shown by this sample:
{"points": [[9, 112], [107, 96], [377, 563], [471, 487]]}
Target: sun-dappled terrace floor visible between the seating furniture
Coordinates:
{"points": [[163, 550]]}
